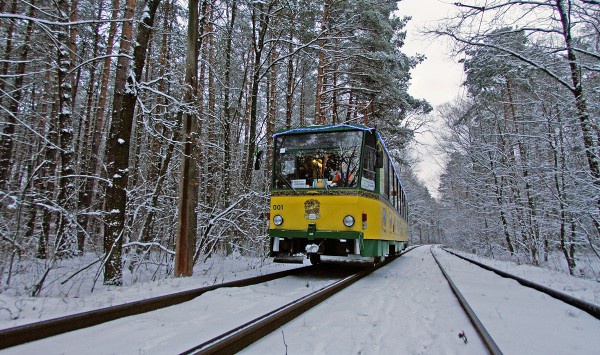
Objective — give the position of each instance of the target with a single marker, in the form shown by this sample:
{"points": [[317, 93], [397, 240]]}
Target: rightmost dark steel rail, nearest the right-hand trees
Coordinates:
{"points": [[590, 308]]}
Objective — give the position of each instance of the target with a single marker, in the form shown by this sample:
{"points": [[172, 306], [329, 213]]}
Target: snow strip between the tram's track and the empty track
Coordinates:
{"points": [[403, 308]]}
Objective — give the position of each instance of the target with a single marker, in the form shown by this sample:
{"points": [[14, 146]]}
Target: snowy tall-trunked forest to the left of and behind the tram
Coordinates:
{"points": [[92, 108]]}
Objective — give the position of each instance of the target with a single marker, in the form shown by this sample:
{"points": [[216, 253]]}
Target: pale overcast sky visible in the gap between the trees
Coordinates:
{"points": [[437, 79]]}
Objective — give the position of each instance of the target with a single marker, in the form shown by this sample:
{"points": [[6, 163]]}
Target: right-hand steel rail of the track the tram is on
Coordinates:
{"points": [[241, 337]]}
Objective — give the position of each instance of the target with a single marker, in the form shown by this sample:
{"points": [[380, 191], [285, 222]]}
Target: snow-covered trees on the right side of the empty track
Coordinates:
{"points": [[522, 178]]}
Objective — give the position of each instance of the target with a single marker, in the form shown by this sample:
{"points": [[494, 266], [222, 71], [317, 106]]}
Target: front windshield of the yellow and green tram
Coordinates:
{"points": [[318, 160]]}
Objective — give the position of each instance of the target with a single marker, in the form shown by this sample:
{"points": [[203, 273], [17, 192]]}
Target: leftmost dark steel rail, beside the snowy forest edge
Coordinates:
{"points": [[40, 330]]}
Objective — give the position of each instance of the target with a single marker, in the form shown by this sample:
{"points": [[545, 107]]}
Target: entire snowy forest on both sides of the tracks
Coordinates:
{"points": [[130, 129]]}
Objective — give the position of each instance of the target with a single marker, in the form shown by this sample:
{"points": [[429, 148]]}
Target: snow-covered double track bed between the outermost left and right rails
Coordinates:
{"points": [[405, 307]]}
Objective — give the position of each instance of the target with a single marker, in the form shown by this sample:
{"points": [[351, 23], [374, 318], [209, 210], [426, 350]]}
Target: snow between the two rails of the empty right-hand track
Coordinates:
{"points": [[522, 320]]}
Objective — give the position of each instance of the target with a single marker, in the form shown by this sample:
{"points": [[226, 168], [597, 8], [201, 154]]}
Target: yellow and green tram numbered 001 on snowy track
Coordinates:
{"points": [[335, 196]]}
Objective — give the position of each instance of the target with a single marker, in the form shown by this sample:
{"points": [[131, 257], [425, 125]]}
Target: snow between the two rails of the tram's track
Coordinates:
{"points": [[175, 329]]}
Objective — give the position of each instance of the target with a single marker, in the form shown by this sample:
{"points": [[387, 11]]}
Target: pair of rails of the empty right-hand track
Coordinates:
{"points": [[484, 335]]}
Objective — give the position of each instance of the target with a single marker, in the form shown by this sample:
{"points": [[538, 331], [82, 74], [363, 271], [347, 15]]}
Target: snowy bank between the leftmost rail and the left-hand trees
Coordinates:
{"points": [[82, 294]]}
